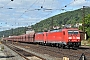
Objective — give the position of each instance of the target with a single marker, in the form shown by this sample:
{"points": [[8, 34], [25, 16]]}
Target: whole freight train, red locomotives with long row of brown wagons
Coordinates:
{"points": [[67, 37]]}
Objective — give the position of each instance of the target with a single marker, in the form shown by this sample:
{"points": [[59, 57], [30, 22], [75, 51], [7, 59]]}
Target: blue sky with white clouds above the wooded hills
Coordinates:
{"points": [[21, 13]]}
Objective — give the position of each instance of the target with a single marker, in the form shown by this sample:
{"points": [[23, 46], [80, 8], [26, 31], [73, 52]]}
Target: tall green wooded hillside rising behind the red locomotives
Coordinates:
{"points": [[70, 17]]}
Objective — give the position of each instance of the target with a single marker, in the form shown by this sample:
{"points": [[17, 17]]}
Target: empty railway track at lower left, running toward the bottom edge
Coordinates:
{"points": [[26, 55]]}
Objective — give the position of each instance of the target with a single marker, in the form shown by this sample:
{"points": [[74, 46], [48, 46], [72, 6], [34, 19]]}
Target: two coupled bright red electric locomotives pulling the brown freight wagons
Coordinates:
{"points": [[68, 37]]}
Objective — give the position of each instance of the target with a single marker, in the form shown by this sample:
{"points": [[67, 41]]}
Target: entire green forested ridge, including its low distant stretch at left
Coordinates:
{"points": [[70, 17]]}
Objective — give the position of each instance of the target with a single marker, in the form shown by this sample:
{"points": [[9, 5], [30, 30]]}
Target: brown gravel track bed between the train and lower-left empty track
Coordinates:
{"points": [[57, 52]]}
